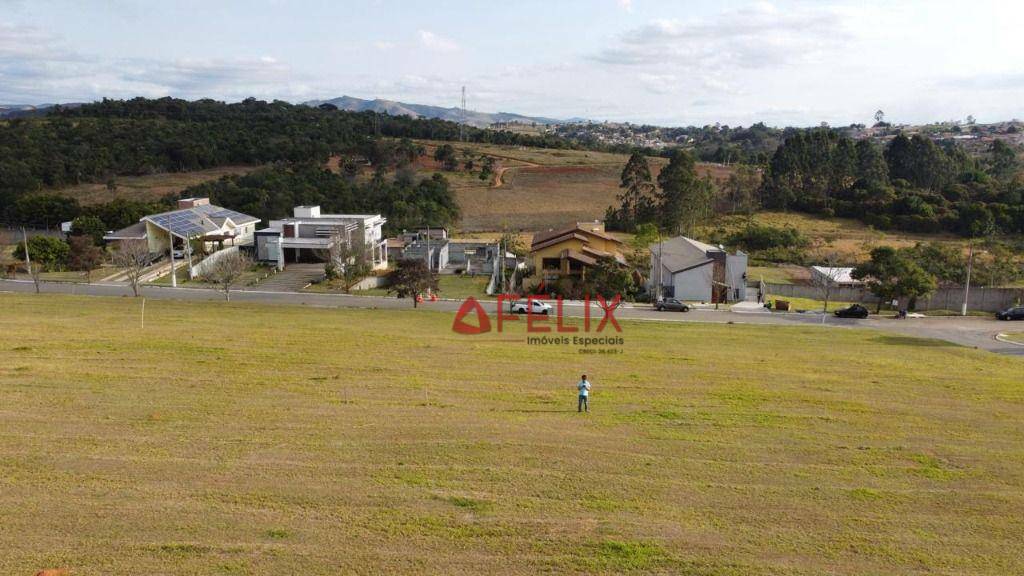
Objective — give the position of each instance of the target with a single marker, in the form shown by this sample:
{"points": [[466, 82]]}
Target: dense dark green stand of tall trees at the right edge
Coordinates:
{"points": [[913, 185]]}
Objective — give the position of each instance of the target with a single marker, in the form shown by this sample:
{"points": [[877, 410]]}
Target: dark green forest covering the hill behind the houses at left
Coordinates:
{"points": [[97, 142]]}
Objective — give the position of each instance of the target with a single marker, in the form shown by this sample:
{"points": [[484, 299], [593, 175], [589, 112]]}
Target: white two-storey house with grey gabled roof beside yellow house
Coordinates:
{"points": [[689, 270]]}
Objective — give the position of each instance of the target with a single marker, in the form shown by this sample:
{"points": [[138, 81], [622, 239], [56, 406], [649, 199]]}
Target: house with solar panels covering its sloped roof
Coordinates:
{"points": [[195, 221]]}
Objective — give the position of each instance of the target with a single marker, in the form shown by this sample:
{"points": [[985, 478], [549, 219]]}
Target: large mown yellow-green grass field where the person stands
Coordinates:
{"points": [[233, 439]]}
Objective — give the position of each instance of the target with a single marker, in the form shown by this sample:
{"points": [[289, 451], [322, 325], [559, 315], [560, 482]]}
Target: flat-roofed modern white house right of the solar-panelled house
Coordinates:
{"points": [[310, 235]]}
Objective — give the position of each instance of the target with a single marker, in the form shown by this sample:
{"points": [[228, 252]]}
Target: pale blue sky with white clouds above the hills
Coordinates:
{"points": [[668, 63]]}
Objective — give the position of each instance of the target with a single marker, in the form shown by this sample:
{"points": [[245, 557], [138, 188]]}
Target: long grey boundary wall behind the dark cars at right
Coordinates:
{"points": [[980, 299]]}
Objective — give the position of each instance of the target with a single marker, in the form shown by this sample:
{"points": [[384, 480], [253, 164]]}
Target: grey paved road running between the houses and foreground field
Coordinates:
{"points": [[970, 332]]}
